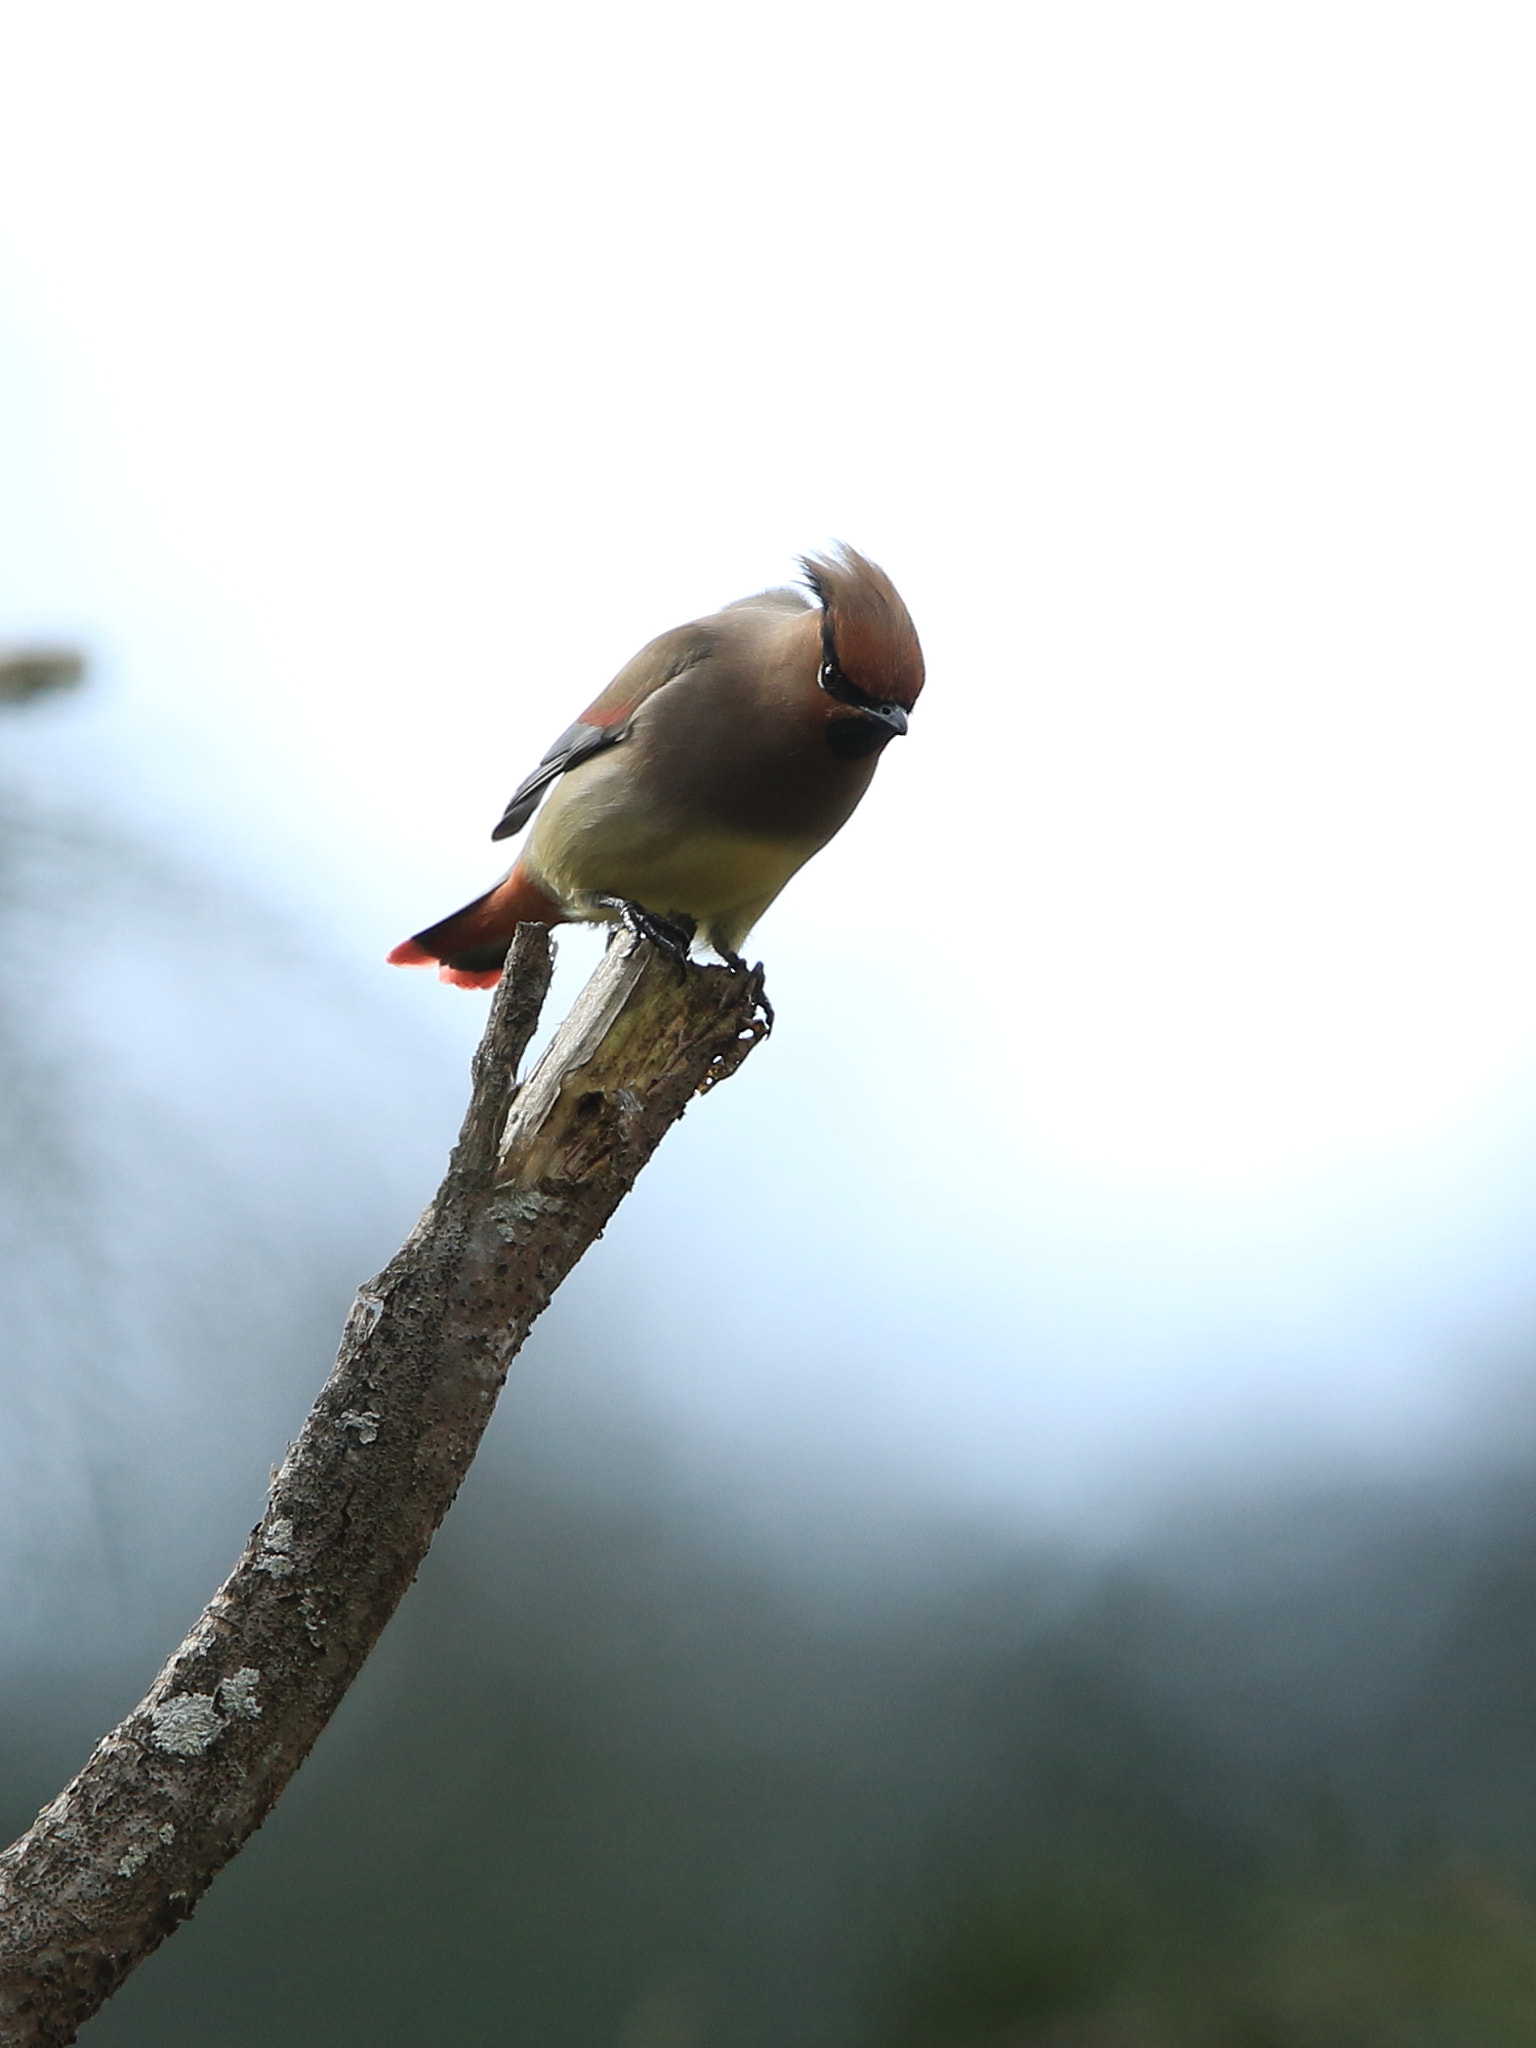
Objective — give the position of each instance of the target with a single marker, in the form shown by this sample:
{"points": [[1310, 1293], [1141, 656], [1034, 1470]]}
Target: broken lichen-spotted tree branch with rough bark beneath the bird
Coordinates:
{"points": [[169, 1797]]}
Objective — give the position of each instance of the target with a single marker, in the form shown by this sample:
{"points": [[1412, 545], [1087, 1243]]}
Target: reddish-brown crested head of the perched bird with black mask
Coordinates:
{"points": [[871, 663]]}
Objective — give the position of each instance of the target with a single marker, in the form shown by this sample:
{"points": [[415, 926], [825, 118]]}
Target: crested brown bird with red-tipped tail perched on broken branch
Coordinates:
{"points": [[716, 763]]}
